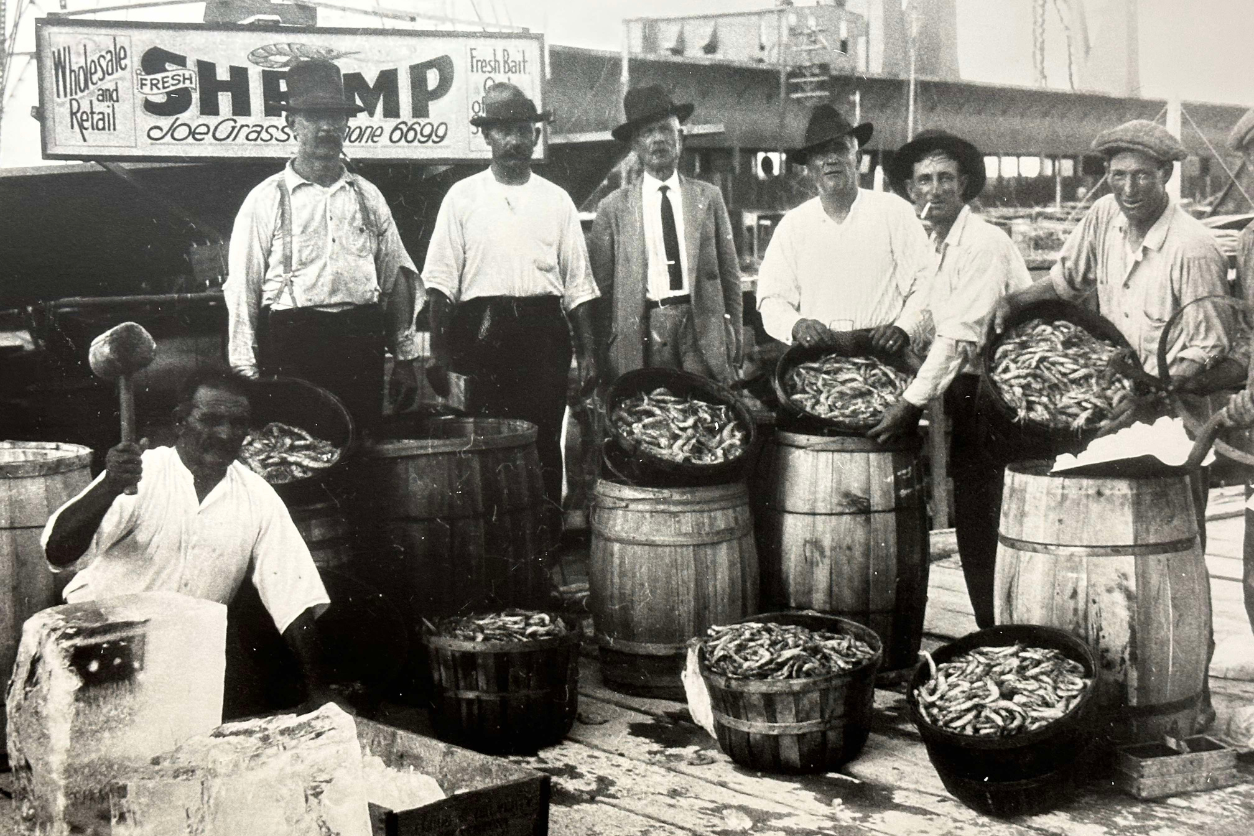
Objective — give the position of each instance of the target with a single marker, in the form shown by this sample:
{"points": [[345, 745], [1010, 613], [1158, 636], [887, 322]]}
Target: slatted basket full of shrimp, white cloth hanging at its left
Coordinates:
{"points": [[791, 692]]}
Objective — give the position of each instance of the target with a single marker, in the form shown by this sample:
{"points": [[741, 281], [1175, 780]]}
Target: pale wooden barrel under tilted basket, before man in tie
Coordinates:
{"points": [[667, 565]]}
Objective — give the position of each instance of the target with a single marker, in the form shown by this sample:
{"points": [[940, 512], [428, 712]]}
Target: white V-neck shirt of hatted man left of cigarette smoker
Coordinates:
{"points": [[870, 270]]}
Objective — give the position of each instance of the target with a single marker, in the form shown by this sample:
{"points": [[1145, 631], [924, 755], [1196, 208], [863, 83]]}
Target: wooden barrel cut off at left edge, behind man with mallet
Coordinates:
{"points": [[36, 479]]}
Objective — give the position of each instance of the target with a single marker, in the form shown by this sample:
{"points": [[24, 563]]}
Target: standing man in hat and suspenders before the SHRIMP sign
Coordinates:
{"points": [[319, 278]]}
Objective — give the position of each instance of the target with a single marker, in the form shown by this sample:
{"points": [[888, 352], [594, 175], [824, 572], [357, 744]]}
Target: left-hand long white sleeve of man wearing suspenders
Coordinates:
{"points": [[248, 260]]}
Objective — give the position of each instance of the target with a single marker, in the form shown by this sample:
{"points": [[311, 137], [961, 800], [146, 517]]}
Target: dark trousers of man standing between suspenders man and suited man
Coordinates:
{"points": [[517, 354]]}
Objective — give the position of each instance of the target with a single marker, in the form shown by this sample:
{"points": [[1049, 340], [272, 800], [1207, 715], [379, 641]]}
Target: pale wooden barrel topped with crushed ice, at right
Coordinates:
{"points": [[1118, 563]]}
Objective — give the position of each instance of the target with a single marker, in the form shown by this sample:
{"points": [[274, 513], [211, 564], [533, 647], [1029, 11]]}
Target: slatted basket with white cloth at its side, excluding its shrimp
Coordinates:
{"points": [[796, 726]]}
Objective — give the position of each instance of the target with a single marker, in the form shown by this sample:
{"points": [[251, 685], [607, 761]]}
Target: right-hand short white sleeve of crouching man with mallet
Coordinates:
{"points": [[284, 573]]}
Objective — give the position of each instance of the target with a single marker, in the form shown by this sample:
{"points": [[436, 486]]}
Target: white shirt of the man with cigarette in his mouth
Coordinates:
{"points": [[979, 266]]}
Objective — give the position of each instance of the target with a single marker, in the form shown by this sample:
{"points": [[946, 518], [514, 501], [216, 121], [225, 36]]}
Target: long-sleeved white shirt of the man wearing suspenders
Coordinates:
{"points": [[339, 258]]}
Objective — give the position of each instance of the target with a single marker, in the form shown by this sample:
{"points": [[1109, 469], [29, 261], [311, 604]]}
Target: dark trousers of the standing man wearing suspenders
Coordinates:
{"points": [[342, 352]]}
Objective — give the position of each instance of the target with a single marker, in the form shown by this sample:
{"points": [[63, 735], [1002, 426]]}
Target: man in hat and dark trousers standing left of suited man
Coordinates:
{"points": [[506, 270]]}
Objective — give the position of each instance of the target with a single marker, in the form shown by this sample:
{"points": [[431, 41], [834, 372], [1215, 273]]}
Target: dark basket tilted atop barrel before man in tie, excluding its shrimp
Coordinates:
{"points": [[634, 464]]}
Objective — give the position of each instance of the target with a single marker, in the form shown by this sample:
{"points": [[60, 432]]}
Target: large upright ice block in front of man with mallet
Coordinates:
{"points": [[102, 687]]}
